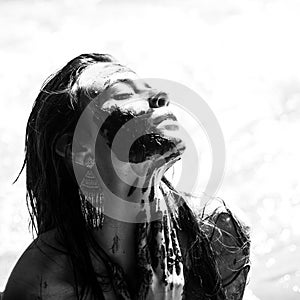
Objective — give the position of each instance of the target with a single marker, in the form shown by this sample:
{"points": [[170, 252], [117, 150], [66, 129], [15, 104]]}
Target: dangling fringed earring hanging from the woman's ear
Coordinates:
{"points": [[92, 204]]}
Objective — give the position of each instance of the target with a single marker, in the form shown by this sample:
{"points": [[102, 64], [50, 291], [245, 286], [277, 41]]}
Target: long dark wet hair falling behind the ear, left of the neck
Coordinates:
{"points": [[52, 196]]}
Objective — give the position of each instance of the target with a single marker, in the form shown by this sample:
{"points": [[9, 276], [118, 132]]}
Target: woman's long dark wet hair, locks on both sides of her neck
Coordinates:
{"points": [[54, 201]]}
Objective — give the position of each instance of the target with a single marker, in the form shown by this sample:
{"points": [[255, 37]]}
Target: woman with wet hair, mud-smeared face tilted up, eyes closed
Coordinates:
{"points": [[74, 173]]}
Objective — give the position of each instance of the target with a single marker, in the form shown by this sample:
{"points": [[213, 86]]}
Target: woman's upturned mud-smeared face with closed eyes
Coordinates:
{"points": [[130, 112]]}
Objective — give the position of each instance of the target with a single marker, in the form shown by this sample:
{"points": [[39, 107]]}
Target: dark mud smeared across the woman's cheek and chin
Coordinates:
{"points": [[133, 131]]}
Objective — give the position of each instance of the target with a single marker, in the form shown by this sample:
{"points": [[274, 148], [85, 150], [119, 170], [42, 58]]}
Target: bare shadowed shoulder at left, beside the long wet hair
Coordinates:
{"points": [[42, 272]]}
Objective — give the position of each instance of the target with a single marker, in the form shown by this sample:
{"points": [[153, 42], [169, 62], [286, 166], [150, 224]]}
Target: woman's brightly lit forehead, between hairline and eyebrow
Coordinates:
{"points": [[100, 75]]}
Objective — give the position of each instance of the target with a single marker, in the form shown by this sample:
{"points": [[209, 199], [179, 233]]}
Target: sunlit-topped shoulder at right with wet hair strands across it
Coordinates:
{"points": [[229, 235]]}
